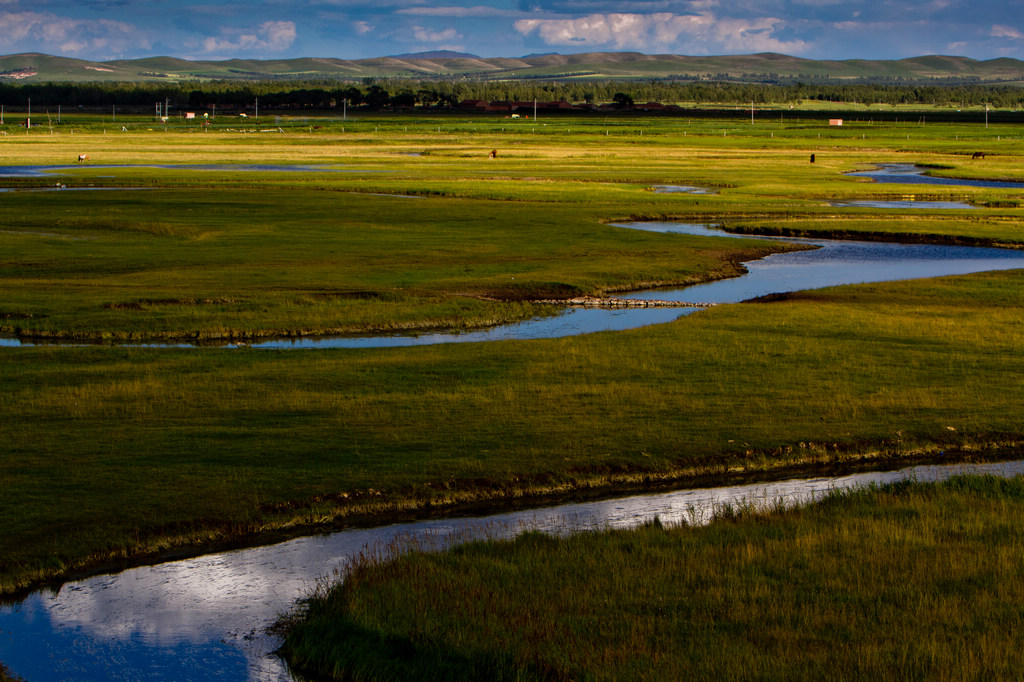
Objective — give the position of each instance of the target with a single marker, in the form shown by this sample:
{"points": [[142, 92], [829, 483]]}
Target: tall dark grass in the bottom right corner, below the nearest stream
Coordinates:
{"points": [[909, 581]]}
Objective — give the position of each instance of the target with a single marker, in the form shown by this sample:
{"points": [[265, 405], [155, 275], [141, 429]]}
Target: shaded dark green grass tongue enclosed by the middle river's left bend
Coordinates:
{"points": [[250, 263]]}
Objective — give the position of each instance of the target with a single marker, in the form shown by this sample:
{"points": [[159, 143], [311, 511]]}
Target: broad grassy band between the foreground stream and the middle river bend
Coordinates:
{"points": [[115, 452]]}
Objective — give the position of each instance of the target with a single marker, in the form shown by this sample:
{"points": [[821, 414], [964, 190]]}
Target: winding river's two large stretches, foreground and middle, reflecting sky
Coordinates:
{"points": [[205, 618]]}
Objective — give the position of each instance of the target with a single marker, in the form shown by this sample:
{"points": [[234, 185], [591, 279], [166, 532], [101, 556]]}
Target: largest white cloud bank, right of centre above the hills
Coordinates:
{"points": [[663, 31]]}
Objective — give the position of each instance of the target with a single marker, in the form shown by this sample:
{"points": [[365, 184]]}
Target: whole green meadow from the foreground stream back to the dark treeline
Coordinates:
{"points": [[116, 454]]}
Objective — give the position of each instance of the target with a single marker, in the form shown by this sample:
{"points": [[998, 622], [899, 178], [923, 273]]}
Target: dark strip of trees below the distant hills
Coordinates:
{"points": [[403, 94]]}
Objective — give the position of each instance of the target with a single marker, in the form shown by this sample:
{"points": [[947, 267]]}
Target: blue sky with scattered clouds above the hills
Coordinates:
{"points": [[354, 29]]}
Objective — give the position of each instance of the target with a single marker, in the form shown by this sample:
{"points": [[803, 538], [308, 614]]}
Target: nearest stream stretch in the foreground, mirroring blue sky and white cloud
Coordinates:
{"points": [[203, 619]]}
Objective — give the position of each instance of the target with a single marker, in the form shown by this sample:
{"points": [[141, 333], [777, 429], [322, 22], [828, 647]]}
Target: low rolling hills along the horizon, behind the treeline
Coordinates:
{"points": [[35, 68]]}
